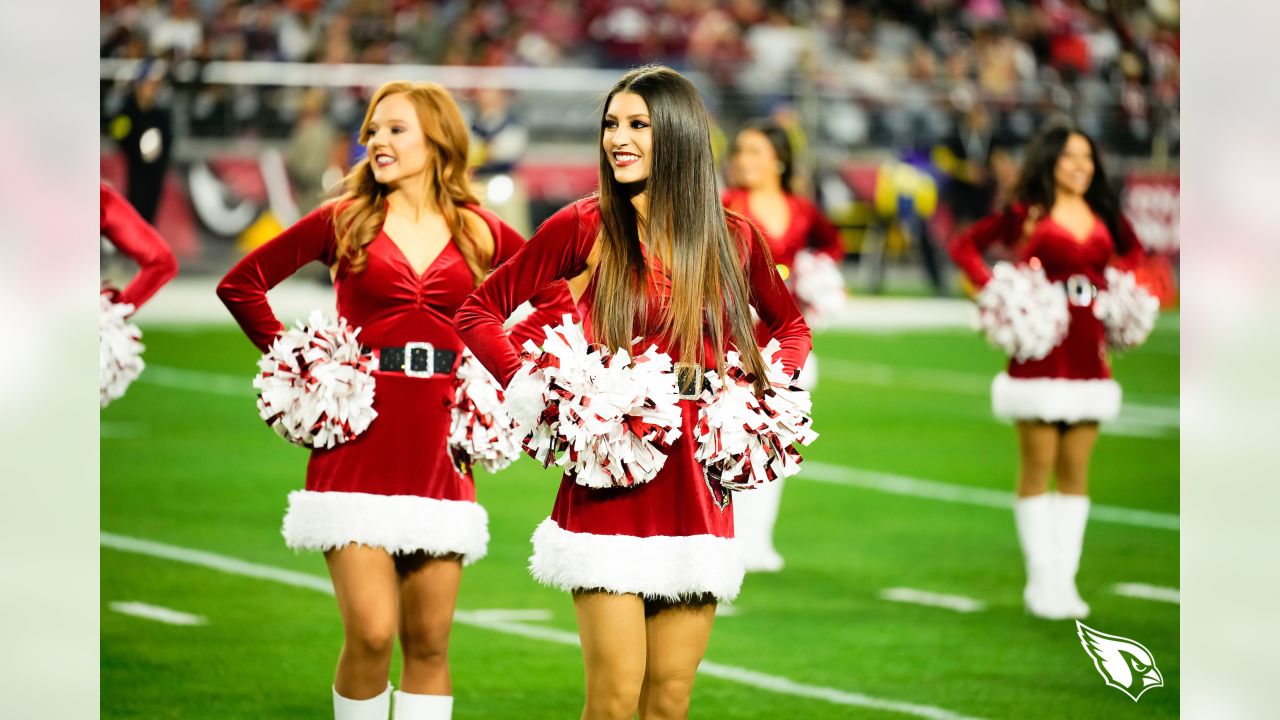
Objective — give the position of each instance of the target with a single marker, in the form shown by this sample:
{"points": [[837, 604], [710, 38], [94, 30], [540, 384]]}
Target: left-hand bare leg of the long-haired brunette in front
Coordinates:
{"points": [[612, 630]]}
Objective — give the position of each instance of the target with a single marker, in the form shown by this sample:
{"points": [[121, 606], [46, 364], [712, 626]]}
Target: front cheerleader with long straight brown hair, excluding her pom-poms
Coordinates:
{"points": [[651, 257]]}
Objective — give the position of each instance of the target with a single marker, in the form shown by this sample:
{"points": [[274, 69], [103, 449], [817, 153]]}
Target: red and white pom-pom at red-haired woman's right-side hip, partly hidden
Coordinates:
{"points": [[481, 431]]}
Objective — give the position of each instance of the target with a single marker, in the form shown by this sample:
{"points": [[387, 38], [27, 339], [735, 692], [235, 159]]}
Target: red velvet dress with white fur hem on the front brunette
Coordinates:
{"points": [[671, 537]]}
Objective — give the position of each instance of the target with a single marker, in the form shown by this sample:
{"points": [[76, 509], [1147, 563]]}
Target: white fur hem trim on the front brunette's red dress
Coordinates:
{"points": [[659, 568]]}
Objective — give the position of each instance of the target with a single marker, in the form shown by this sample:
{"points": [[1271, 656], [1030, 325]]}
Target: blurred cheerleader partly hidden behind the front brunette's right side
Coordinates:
{"points": [[761, 172]]}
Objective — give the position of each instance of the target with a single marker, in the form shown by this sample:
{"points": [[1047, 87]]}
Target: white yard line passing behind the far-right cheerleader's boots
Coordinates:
{"points": [[966, 495]]}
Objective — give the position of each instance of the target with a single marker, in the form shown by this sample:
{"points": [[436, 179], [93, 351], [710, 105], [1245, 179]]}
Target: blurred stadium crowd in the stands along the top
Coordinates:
{"points": [[904, 74]]}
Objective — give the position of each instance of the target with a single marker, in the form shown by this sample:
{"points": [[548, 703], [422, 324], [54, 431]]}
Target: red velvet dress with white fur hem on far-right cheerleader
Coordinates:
{"points": [[1073, 384]]}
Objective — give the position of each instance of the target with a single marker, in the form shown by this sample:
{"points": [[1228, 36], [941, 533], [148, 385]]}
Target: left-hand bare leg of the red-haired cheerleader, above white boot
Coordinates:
{"points": [[364, 582]]}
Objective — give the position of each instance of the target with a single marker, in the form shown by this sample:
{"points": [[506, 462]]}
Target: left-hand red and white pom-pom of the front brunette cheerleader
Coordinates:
{"points": [[606, 418]]}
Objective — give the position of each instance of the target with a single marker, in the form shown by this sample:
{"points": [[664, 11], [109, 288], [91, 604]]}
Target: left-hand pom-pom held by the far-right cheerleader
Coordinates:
{"points": [[1022, 313]]}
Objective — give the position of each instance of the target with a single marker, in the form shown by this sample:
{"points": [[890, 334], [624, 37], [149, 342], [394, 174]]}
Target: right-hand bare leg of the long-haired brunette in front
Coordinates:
{"points": [[678, 639]]}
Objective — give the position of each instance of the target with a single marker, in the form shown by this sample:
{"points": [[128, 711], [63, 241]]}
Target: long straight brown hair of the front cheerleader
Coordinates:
{"points": [[685, 229]]}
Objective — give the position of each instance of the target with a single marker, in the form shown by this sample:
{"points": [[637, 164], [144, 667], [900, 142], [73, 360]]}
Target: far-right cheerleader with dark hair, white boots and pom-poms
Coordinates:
{"points": [[1055, 313]]}
